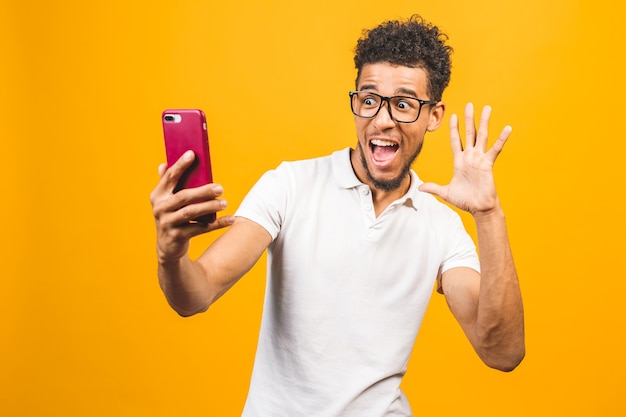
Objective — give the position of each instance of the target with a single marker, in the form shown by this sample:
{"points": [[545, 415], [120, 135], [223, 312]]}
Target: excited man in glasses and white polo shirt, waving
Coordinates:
{"points": [[355, 244]]}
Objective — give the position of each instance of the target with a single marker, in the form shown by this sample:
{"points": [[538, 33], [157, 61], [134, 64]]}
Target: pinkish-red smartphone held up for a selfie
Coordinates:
{"points": [[183, 130]]}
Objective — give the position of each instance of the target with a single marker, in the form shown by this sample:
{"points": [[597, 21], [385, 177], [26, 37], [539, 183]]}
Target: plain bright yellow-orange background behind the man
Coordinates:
{"points": [[84, 329]]}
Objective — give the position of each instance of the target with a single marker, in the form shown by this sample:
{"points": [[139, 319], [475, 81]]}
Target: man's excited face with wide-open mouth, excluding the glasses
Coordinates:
{"points": [[386, 149]]}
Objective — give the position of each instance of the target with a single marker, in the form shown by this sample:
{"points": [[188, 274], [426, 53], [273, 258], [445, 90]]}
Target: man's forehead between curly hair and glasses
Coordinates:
{"points": [[388, 79]]}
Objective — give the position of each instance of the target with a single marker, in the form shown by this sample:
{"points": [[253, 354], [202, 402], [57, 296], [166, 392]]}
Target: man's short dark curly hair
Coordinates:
{"points": [[413, 43]]}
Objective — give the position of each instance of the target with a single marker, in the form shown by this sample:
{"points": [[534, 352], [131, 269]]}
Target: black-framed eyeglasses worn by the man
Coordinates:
{"points": [[405, 109]]}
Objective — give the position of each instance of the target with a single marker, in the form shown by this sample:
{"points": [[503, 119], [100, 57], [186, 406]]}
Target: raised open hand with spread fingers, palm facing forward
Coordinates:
{"points": [[472, 187]]}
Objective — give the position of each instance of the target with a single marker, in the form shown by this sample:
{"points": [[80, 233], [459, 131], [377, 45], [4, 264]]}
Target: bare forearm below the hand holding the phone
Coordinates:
{"points": [[185, 286]]}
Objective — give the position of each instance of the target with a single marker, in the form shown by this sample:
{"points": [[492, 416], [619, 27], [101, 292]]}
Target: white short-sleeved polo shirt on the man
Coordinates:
{"points": [[346, 291]]}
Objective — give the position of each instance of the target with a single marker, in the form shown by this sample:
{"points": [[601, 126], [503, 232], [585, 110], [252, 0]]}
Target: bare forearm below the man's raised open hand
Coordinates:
{"points": [[500, 316]]}
